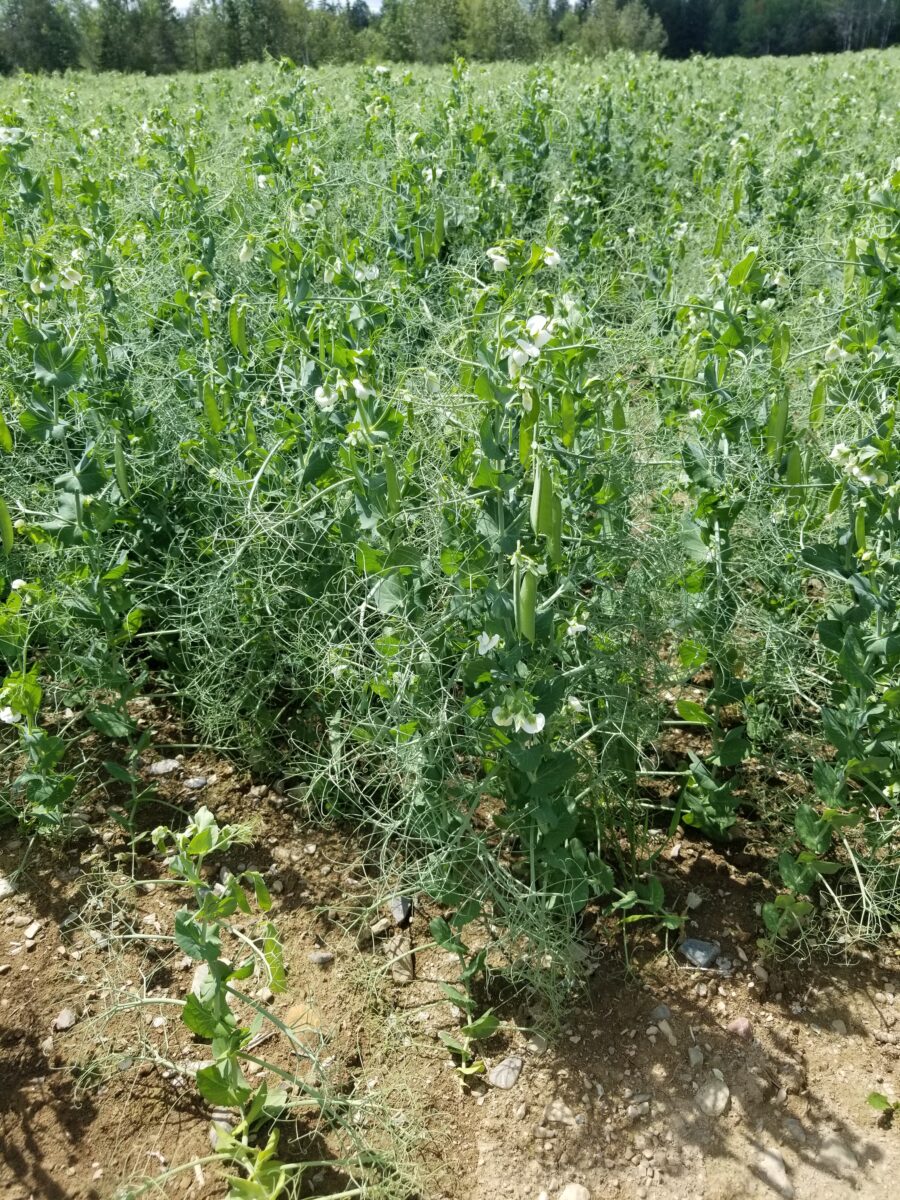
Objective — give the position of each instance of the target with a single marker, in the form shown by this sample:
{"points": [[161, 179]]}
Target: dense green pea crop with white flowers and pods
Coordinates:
{"points": [[502, 460]]}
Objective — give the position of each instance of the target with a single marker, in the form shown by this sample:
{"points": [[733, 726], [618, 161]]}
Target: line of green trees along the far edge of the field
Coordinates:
{"points": [[152, 37]]}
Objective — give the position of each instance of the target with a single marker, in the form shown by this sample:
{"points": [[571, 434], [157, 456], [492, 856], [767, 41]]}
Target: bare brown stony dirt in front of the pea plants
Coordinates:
{"points": [[89, 1109]]}
